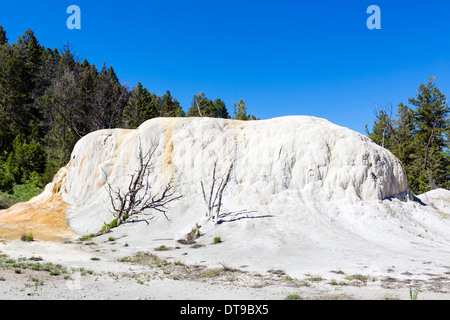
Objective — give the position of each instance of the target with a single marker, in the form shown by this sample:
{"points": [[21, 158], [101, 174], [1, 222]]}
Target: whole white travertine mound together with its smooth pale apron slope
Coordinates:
{"points": [[304, 195]]}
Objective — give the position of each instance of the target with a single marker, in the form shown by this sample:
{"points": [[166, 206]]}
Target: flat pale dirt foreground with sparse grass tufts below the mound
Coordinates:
{"points": [[101, 268]]}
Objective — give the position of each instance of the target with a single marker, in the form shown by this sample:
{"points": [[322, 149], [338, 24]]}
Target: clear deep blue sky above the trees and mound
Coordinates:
{"points": [[282, 57]]}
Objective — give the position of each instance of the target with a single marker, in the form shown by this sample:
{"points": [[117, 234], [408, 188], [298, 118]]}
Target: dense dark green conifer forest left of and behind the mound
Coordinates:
{"points": [[50, 98]]}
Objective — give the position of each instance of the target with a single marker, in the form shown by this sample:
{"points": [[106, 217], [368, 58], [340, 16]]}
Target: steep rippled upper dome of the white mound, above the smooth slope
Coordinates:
{"points": [[301, 158]]}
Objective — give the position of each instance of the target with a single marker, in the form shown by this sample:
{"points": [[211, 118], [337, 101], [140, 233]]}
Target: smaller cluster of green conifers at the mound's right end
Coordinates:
{"points": [[419, 137]]}
